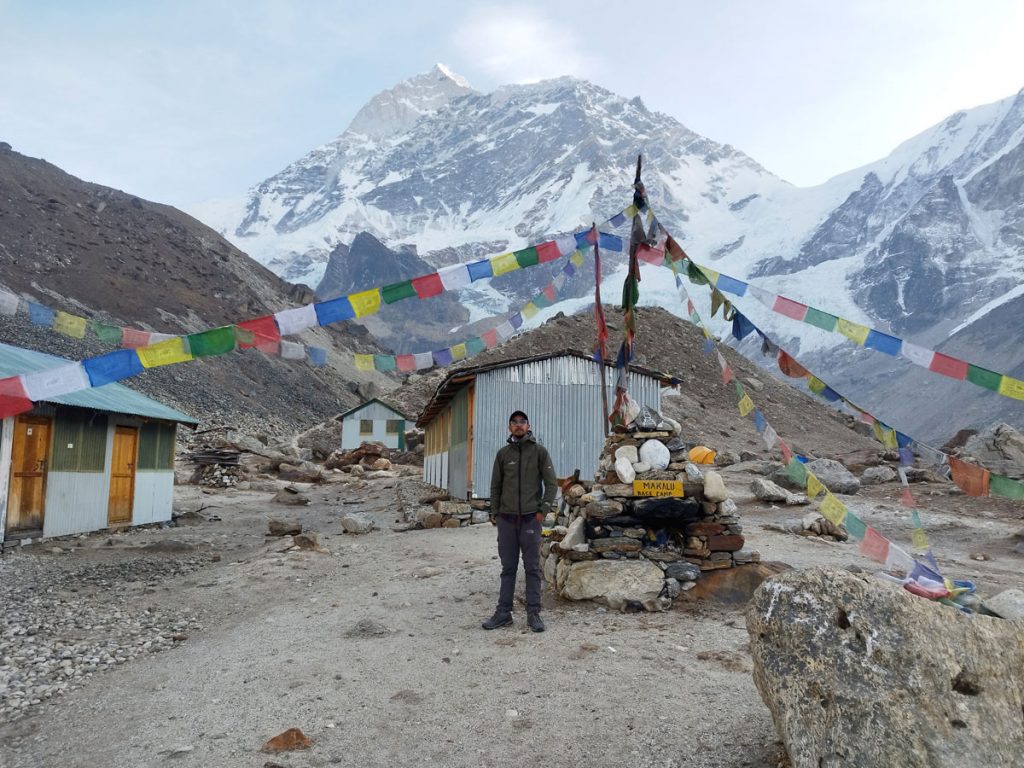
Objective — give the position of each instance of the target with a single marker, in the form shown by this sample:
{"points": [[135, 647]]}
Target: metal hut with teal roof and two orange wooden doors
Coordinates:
{"points": [[84, 461]]}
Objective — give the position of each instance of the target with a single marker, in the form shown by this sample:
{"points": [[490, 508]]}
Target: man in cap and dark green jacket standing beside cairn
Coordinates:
{"points": [[519, 508]]}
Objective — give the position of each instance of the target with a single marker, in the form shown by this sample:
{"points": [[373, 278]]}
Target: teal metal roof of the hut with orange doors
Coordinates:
{"points": [[113, 398]]}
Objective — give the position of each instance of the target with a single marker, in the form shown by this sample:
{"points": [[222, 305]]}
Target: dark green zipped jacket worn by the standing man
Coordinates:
{"points": [[520, 471]]}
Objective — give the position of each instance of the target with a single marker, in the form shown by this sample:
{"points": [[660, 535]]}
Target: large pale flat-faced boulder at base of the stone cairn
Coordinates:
{"points": [[617, 583]]}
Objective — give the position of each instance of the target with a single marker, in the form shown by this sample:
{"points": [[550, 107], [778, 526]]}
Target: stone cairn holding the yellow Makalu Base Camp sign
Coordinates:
{"points": [[629, 551]]}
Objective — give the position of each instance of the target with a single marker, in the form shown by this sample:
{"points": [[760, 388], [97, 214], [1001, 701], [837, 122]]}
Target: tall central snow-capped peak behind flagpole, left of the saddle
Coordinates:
{"points": [[478, 174]]}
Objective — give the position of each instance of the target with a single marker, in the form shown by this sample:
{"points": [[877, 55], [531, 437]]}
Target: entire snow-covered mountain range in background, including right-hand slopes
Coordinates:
{"points": [[927, 243]]}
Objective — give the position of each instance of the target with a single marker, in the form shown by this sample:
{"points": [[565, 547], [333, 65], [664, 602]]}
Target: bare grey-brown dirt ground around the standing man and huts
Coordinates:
{"points": [[375, 651]]}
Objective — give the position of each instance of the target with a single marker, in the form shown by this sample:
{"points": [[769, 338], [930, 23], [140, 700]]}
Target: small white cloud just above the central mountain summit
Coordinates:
{"points": [[520, 46]]}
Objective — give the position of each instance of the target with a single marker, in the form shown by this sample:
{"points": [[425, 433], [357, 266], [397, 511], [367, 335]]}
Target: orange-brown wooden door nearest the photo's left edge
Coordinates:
{"points": [[30, 452]]}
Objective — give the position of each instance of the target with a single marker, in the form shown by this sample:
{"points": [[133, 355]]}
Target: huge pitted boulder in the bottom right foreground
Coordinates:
{"points": [[859, 672]]}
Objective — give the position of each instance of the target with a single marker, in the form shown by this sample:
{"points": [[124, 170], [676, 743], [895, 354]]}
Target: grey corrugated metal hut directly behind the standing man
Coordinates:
{"points": [[466, 420]]}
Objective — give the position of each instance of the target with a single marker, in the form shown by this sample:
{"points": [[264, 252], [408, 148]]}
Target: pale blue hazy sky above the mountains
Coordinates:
{"points": [[192, 101]]}
